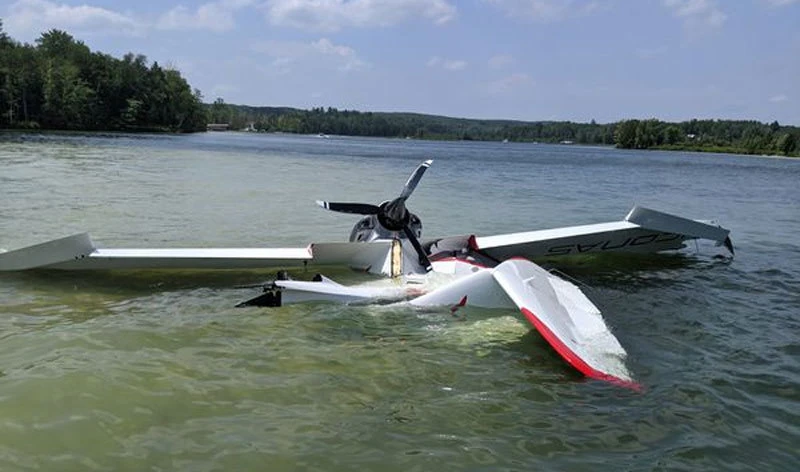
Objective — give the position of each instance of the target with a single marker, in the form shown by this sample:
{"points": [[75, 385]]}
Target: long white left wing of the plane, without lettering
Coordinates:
{"points": [[78, 252]]}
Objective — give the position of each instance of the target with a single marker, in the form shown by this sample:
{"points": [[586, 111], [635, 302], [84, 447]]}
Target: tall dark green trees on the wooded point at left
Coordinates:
{"points": [[59, 83]]}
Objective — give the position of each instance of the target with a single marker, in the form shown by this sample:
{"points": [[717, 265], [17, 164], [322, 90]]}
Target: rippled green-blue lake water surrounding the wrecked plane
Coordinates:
{"points": [[158, 371]]}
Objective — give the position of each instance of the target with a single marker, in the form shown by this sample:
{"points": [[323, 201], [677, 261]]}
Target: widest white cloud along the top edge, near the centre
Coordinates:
{"points": [[333, 15]]}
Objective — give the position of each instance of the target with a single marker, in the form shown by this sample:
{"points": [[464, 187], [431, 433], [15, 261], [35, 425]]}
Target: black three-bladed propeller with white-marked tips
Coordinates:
{"points": [[393, 214]]}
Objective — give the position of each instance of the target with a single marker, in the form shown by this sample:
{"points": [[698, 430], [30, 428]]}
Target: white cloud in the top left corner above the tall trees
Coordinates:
{"points": [[27, 19]]}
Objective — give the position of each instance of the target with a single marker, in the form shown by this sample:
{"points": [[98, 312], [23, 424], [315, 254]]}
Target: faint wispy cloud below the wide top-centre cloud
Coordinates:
{"points": [[289, 55]]}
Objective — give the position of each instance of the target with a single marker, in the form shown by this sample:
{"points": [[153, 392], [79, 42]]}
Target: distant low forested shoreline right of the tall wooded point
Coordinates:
{"points": [[739, 136]]}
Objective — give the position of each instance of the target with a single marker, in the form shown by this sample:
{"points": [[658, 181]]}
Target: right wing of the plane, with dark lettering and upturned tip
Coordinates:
{"points": [[643, 230]]}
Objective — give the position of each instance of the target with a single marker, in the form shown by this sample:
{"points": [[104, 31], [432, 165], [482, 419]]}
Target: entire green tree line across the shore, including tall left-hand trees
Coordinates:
{"points": [[59, 83]]}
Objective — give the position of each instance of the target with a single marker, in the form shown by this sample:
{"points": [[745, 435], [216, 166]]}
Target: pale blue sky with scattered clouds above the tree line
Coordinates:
{"points": [[519, 59]]}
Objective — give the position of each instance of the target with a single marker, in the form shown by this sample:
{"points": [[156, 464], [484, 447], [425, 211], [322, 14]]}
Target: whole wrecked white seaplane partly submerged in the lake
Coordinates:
{"points": [[453, 272]]}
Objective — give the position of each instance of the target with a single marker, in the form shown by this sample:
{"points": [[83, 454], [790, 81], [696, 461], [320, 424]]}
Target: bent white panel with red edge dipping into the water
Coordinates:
{"points": [[559, 311]]}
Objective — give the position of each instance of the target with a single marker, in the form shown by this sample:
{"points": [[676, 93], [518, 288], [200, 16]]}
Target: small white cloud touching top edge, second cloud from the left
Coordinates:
{"points": [[212, 16]]}
